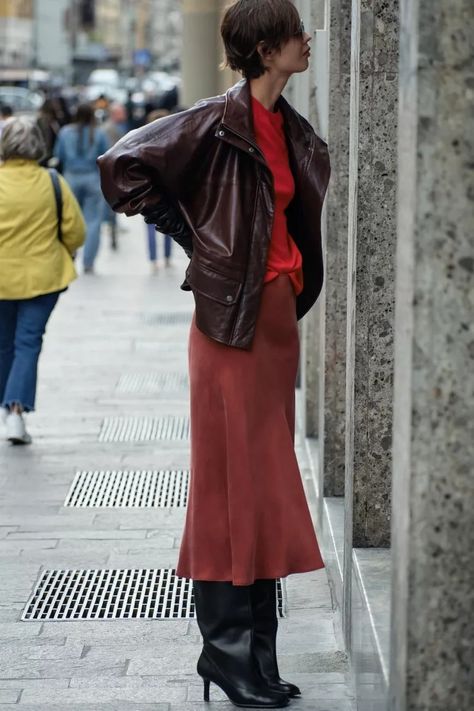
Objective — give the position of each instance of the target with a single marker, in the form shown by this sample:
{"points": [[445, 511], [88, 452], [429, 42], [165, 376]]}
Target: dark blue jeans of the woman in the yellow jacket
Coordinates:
{"points": [[23, 323]]}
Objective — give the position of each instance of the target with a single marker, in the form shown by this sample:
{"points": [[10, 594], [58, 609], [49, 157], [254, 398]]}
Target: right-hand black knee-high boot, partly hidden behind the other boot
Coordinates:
{"points": [[263, 596]]}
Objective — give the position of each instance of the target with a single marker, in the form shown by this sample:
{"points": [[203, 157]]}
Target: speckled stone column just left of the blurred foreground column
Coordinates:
{"points": [[370, 284]]}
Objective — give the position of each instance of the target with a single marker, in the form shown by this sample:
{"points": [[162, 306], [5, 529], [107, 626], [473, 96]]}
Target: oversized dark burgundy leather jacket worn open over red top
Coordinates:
{"points": [[200, 176]]}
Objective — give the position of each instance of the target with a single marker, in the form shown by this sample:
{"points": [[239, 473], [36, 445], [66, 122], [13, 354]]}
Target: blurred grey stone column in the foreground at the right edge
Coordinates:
{"points": [[433, 486]]}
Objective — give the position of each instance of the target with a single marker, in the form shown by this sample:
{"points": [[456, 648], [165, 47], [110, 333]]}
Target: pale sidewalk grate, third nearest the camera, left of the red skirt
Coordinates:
{"points": [[143, 429]]}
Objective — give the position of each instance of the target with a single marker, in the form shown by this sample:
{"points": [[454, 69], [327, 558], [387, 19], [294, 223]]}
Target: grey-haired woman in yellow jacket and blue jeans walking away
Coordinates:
{"points": [[36, 265]]}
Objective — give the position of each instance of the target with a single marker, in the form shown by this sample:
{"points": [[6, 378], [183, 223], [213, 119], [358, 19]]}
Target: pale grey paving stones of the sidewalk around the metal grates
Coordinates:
{"points": [[105, 329]]}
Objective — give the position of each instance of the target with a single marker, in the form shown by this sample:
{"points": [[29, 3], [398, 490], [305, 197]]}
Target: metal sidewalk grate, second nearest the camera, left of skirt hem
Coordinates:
{"points": [[139, 489]]}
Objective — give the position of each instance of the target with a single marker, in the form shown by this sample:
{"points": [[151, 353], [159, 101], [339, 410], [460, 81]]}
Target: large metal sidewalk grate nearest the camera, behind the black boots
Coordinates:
{"points": [[115, 594]]}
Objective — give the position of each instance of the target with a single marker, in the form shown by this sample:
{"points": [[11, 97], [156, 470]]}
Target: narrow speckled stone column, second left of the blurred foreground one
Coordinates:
{"points": [[333, 321]]}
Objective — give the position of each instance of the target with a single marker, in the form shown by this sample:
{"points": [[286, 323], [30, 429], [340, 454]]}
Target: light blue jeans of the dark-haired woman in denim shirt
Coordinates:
{"points": [[86, 188]]}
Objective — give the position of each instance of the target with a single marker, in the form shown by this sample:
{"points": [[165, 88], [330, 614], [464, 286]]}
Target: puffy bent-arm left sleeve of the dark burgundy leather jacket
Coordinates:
{"points": [[150, 169]]}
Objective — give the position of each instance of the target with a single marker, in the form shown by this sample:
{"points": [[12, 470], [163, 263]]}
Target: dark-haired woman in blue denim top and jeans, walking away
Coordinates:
{"points": [[77, 148]]}
